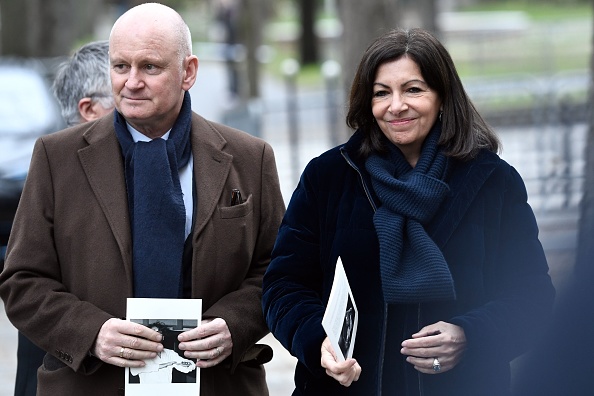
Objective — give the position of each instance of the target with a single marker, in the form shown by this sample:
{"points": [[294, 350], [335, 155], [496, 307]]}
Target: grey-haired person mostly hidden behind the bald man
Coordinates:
{"points": [[83, 90]]}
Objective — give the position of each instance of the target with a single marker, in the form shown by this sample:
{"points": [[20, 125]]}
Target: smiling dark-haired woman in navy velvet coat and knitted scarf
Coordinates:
{"points": [[434, 231]]}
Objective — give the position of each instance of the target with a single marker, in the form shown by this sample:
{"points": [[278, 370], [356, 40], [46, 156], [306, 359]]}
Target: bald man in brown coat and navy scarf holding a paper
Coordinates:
{"points": [[138, 204]]}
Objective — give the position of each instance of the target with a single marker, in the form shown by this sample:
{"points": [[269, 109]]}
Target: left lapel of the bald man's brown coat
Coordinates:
{"points": [[104, 167]]}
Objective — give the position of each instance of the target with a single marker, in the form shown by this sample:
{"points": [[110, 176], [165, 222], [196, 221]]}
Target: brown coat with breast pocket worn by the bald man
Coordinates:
{"points": [[69, 260]]}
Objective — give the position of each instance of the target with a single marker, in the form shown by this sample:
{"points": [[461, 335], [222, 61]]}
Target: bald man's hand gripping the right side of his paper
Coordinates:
{"points": [[210, 343]]}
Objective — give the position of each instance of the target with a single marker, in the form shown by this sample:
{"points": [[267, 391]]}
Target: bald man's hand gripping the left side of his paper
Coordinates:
{"points": [[126, 344]]}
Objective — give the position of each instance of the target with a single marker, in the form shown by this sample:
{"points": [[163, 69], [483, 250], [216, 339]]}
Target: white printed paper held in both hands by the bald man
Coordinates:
{"points": [[170, 373]]}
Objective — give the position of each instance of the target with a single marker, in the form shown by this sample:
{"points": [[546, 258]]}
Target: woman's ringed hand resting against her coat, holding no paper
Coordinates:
{"points": [[442, 341]]}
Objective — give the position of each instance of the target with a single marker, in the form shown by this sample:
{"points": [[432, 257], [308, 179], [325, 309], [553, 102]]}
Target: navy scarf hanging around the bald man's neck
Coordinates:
{"points": [[156, 206]]}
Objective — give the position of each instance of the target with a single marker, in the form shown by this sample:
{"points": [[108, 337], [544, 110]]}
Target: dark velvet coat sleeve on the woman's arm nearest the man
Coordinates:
{"points": [[294, 284]]}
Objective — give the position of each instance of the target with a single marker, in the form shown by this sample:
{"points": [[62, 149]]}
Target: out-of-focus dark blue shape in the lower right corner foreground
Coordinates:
{"points": [[562, 363]]}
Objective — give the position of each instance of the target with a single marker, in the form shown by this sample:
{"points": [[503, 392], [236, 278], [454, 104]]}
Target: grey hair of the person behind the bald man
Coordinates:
{"points": [[85, 74]]}
